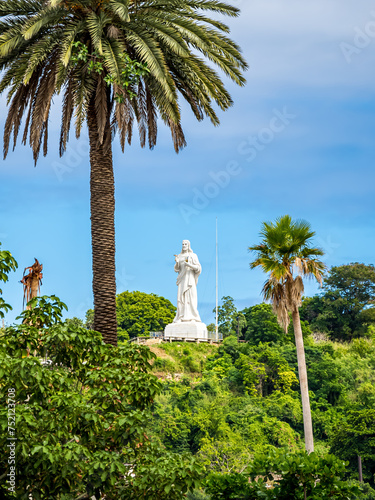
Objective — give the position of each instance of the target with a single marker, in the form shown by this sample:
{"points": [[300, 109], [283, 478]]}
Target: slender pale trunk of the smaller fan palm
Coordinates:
{"points": [[302, 372]]}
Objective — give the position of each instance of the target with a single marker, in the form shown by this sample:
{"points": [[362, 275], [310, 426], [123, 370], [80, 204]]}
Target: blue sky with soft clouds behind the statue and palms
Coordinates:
{"points": [[298, 140]]}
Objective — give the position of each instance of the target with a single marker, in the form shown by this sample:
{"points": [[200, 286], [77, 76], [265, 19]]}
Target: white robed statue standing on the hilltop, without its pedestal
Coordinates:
{"points": [[188, 268]]}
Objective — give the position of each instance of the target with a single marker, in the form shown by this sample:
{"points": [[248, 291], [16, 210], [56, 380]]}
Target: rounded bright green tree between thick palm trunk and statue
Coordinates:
{"points": [[140, 313]]}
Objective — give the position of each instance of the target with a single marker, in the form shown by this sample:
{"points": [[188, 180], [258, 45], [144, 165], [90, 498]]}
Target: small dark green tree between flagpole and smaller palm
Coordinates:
{"points": [[262, 325]]}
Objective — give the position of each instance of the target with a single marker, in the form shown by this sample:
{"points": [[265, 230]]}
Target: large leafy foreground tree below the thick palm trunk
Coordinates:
{"points": [[82, 413]]}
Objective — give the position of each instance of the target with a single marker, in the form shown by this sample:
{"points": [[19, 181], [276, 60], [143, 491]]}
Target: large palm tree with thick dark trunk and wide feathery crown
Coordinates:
{"points": [[116, 62]]}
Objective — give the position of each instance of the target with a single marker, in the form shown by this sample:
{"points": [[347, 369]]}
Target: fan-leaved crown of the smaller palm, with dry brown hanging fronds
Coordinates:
{"points": [[284, 250]]}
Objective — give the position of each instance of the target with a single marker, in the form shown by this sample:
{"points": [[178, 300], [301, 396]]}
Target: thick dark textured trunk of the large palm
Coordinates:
{"points": [[102, 205]]}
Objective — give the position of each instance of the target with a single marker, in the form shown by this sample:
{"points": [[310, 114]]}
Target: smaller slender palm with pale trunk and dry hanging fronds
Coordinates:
{"points": [[285, 252]]}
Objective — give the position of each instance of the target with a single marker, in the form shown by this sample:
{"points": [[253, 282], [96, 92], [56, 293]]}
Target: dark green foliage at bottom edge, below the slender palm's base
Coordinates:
{"points": [[286, 476]]}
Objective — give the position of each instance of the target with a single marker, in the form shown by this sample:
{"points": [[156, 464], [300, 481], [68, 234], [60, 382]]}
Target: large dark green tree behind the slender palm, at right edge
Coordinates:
{"points": [[346, 307]]}
